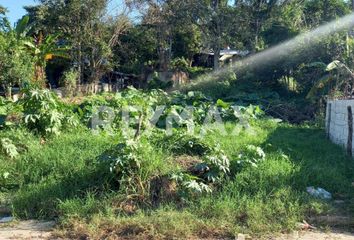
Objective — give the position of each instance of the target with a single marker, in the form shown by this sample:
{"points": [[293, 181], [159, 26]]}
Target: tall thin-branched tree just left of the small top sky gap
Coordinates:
{"points": [[87, 27]]}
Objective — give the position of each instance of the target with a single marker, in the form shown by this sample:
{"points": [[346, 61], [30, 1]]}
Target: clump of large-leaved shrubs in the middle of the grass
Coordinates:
{"points": [[129, 162]]}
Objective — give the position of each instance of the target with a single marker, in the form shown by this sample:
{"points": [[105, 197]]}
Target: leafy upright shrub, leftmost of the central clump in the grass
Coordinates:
{"points": [[133, 163]]}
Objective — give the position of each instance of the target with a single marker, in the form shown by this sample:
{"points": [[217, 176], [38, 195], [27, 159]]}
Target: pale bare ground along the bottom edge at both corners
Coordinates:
{"points": [[339, 227]]}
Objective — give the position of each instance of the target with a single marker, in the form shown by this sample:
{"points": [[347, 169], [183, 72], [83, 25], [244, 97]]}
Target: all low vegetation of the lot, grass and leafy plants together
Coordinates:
{"points": [[222, 183]]}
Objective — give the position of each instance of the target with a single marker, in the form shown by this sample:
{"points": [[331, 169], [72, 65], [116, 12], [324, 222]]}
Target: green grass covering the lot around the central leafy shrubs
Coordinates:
{"points": [[63, 178]]}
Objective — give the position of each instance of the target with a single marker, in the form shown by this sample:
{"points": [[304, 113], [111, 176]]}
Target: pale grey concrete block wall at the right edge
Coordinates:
{"points": [[337, 122]]}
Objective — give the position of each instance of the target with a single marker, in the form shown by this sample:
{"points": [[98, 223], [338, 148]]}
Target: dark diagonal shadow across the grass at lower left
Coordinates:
{"points": [[41, 200]]}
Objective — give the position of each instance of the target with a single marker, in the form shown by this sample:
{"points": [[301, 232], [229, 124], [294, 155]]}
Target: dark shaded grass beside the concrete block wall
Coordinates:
{"points": [[317, 161]]}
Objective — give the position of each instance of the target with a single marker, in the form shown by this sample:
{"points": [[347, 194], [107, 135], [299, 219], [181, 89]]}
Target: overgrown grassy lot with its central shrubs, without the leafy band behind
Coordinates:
{"points": [[99, 186]]}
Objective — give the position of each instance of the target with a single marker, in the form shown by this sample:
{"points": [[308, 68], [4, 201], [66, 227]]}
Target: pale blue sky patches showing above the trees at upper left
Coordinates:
{"points": [[16, 11]]}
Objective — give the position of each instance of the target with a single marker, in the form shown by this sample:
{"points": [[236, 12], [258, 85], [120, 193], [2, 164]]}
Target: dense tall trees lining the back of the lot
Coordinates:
{"points": [[168, 33]]}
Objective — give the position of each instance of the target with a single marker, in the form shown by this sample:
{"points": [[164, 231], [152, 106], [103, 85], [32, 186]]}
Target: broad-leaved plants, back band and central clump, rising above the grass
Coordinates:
{"points": [[142, 137]]}
